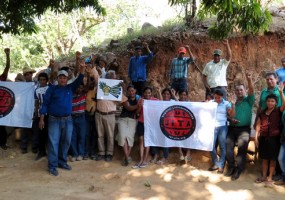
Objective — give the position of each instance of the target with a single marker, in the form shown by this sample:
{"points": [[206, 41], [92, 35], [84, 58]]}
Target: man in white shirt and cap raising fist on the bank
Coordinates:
{"points": [[215, 72]]}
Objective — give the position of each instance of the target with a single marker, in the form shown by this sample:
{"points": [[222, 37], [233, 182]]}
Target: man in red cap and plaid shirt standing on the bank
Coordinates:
{"points": [[179, 69]]}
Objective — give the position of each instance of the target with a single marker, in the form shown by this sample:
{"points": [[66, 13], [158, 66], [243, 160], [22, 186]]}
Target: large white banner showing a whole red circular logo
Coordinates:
{"points": [[179, 124]]}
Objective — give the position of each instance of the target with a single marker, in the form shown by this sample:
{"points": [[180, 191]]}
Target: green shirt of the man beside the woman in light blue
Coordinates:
{"points": [[244, 111]]}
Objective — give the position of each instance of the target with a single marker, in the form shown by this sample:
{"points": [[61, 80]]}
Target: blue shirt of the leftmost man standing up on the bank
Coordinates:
{"points": [[137, 67]]}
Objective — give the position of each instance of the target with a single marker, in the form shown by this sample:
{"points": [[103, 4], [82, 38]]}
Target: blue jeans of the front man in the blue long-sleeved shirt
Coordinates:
{"points": [[59, 137]]}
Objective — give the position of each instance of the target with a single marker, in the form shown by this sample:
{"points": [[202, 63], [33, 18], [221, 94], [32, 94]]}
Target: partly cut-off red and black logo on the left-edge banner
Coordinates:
{"points": [[7, 101]]}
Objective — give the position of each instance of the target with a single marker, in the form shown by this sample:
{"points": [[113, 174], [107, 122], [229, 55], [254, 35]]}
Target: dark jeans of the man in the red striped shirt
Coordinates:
{"points": [[78, 138]]}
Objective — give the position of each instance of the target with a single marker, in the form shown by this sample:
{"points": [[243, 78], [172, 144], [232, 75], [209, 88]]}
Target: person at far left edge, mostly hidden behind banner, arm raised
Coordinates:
{"points": [[3, 77]]}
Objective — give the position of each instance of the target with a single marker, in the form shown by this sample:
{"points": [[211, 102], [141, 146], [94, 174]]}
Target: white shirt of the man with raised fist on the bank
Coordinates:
{"points": [[216, 73]]}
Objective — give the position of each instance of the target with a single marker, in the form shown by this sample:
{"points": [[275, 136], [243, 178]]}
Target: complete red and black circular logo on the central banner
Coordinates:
{"points": [[177, 122]]}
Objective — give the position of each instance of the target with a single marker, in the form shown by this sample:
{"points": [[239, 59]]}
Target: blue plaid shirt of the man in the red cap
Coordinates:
{"points": [[179, 67]]}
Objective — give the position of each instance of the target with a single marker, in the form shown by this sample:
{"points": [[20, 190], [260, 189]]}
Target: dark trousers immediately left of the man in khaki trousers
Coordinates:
{"points": [[91, 135]]}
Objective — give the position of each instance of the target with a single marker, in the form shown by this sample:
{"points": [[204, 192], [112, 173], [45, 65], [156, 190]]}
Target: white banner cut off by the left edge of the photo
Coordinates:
{"points": [[17, 104]]}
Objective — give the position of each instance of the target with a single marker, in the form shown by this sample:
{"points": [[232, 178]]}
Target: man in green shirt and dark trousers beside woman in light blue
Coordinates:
{"points": [[239, 129]]}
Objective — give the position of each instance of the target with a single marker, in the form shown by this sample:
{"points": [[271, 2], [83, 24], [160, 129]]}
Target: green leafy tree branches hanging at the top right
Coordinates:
{"points": [[245, 16]]}
